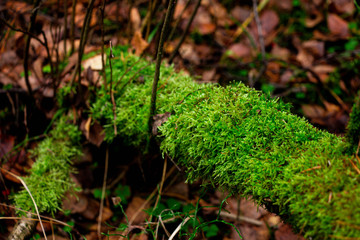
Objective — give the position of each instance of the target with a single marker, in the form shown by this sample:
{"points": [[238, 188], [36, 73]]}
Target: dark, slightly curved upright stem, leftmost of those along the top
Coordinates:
{"points": [[27, 45]]}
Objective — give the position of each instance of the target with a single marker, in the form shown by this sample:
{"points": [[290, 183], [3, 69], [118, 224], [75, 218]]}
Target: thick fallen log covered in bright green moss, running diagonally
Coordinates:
{"points": [[242, 140]]}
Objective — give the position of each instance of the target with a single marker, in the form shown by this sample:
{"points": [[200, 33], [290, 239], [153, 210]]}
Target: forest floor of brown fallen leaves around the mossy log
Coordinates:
{"points": [[306, 53]]}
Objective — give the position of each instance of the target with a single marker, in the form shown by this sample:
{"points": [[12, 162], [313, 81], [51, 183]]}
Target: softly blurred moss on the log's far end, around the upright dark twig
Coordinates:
{"points": [[132, 95]]}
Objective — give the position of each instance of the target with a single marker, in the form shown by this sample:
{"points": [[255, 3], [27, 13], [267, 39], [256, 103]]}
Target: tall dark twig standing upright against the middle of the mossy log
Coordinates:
{"points": [[158, 62]]}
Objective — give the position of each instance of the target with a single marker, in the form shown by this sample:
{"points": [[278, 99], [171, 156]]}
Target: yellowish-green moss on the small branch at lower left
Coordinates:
{"points": [[49, 178]]}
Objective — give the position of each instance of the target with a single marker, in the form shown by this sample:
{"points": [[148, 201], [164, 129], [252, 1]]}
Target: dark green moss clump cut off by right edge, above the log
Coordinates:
{"points": [[353, 128]]}
